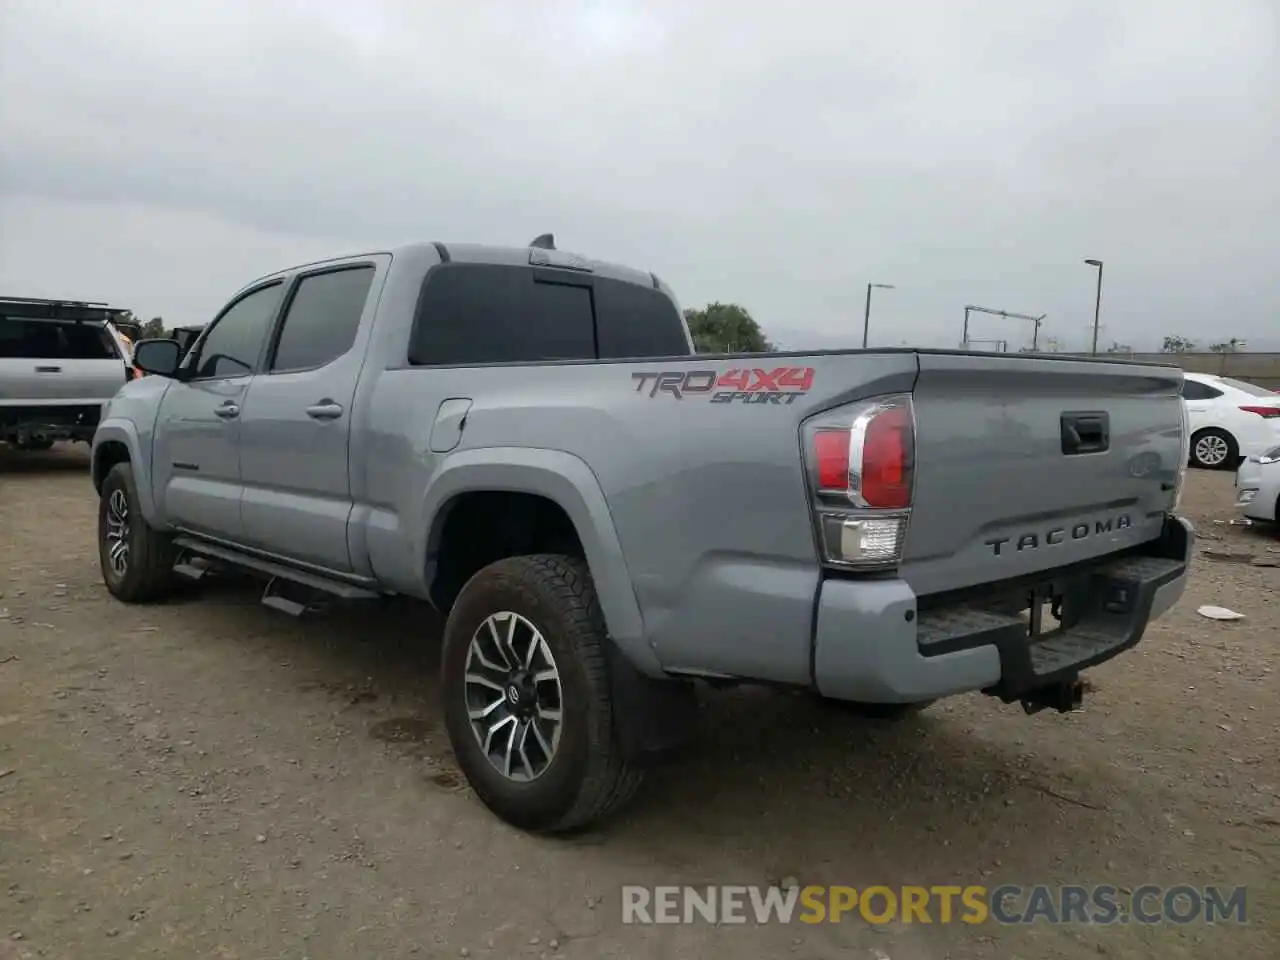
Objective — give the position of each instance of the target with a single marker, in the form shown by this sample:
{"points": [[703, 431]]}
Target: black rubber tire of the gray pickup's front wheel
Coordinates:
{"points": [[148, 570]]}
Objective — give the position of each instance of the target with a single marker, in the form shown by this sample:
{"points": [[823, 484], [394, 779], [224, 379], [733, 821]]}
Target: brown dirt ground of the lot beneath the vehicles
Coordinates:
{"points": [[211, 779]]}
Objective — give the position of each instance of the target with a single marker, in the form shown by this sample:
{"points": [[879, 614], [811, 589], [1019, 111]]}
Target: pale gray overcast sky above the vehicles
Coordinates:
{"points": [[161, 154]]}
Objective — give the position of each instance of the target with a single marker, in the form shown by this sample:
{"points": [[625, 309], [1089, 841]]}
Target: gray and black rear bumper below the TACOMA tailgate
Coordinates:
{"points": [[876, 643]]}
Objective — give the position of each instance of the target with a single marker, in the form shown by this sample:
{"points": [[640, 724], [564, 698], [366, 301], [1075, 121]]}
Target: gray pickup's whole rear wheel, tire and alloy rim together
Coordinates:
{"points": [[527, 696]]}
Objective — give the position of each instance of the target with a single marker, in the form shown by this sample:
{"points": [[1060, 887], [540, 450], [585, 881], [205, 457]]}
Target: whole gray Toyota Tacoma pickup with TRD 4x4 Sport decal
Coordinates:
{"points": [[525, 440]]}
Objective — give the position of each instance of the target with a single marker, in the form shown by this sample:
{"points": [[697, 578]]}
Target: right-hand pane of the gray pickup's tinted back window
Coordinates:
{"points": [[636, 322]]}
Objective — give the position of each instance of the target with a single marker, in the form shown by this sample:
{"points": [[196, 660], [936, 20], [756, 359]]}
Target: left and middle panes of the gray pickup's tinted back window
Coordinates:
{"points": [[481, 314]]}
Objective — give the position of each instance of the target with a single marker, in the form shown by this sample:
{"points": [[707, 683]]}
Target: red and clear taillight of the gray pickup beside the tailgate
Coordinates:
{"points": [[862, 477]]}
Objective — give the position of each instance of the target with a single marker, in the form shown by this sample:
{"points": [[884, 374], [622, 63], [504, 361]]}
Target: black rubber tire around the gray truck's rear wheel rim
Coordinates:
{"points": [[587, 778]]}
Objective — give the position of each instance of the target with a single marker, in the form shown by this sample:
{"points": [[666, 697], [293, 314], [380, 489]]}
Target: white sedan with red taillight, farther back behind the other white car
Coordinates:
{"points": [[1229, 419]]}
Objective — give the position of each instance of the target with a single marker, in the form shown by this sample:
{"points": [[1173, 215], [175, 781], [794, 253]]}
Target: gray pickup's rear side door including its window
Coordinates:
{"points": [[295, 429]]}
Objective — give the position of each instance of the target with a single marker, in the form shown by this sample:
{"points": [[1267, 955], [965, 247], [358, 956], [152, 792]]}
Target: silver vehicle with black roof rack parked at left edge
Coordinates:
{"points": [[60, 363]]}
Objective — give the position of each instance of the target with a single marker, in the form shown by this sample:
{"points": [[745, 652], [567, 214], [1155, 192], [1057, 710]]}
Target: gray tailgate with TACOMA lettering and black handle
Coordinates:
{"points": [[1030, 464]]}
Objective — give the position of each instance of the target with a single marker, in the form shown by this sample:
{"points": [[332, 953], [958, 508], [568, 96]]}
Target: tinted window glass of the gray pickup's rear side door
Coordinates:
{"points": [[322, 321]]}
